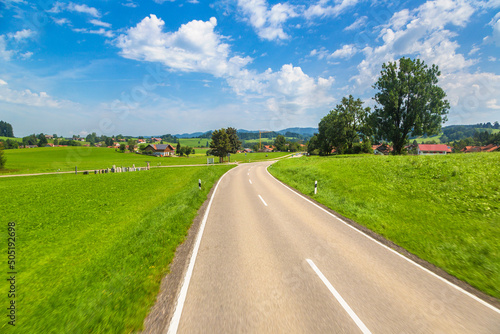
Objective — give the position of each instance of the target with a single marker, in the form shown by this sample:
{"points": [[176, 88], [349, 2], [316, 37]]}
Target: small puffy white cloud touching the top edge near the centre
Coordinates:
{"points": [[268, 23]]}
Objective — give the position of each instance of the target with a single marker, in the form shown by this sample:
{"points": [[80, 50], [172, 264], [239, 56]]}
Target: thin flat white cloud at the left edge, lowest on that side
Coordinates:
{"points": [[29, 98]]}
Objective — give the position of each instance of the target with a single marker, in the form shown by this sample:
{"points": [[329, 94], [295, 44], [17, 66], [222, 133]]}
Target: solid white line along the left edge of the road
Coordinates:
{"points": [[176, 318]]}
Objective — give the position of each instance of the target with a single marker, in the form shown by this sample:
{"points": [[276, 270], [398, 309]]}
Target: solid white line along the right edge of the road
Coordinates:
{"points": [[493, 308]]}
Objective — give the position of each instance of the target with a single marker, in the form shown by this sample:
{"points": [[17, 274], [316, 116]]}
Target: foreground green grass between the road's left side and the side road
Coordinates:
{"points": [[92, 249]]}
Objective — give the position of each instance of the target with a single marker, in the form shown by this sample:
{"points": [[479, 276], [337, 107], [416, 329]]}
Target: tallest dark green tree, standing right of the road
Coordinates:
{"points": [[409, 102]]}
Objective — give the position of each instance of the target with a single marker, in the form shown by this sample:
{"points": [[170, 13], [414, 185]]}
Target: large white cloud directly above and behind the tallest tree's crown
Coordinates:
{"points": [[420, 33]]}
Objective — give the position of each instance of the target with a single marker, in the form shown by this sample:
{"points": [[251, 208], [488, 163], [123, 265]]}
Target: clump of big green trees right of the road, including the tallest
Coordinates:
{"points": [[408, 103]]}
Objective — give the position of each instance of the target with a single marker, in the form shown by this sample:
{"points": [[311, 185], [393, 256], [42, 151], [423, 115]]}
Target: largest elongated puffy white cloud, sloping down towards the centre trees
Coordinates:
{"points": [[197, 47]]}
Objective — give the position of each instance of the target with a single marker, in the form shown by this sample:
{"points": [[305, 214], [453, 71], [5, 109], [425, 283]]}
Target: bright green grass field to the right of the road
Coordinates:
{"points": [[445, 209]]}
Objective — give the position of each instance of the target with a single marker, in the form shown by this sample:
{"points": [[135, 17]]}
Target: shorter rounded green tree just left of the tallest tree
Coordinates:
{"points": [[344, 126]]}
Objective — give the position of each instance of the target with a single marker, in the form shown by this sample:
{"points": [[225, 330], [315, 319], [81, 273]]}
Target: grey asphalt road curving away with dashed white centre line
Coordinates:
{"points": [[270, 261]]}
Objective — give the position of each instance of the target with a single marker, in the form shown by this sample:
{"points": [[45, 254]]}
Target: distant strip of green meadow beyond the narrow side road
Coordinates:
{"points": [[52, 159]]}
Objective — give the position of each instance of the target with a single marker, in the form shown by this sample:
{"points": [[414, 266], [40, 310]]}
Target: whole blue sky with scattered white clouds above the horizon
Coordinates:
{"points": [[156, 67]]}
